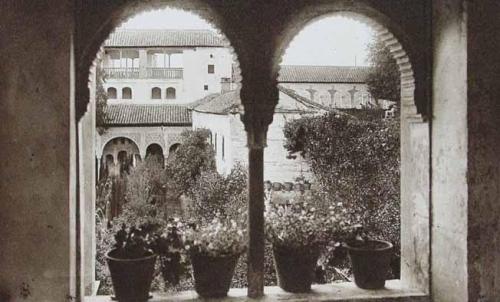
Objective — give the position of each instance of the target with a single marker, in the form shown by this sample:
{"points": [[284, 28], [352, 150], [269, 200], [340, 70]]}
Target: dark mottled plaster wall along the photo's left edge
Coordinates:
{"points": [[37, 198]]}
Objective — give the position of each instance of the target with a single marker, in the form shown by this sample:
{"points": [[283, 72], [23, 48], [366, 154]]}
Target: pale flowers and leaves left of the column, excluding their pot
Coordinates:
{"points": [[217, 239]]}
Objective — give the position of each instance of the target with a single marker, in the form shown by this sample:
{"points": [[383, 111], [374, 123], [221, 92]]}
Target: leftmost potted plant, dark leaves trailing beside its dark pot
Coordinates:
{"points": [[132, 260]]}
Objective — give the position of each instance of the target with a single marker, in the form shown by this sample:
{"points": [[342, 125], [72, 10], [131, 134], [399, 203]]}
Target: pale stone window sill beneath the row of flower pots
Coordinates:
{"points": [[347, 292]]}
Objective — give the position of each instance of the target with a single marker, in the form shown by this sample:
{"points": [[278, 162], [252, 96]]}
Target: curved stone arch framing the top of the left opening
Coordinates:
{"points": [[122, 12]]}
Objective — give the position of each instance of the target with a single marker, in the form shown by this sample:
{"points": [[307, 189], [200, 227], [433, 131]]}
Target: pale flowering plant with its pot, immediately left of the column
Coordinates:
{"points": [[214, 249]]}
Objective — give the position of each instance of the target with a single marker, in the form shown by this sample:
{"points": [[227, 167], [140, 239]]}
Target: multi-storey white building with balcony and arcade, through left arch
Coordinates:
{"points": [[150, 76]]}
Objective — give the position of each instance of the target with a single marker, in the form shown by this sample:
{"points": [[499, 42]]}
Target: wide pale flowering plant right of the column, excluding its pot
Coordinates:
{"points": [[307, 220]]}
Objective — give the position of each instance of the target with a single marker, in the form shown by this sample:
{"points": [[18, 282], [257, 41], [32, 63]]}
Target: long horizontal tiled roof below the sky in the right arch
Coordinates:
{"points": [[323, 74]]}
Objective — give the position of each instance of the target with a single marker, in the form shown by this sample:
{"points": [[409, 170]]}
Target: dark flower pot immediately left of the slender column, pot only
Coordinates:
{"points": [[213, 275]]}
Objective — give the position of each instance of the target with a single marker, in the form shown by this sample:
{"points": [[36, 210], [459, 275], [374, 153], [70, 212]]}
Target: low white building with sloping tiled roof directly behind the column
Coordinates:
{"points": [[221, 114]]}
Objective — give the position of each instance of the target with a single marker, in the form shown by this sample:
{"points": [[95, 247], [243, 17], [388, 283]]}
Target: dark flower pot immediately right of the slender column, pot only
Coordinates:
{"points": [[295, 268]]}
